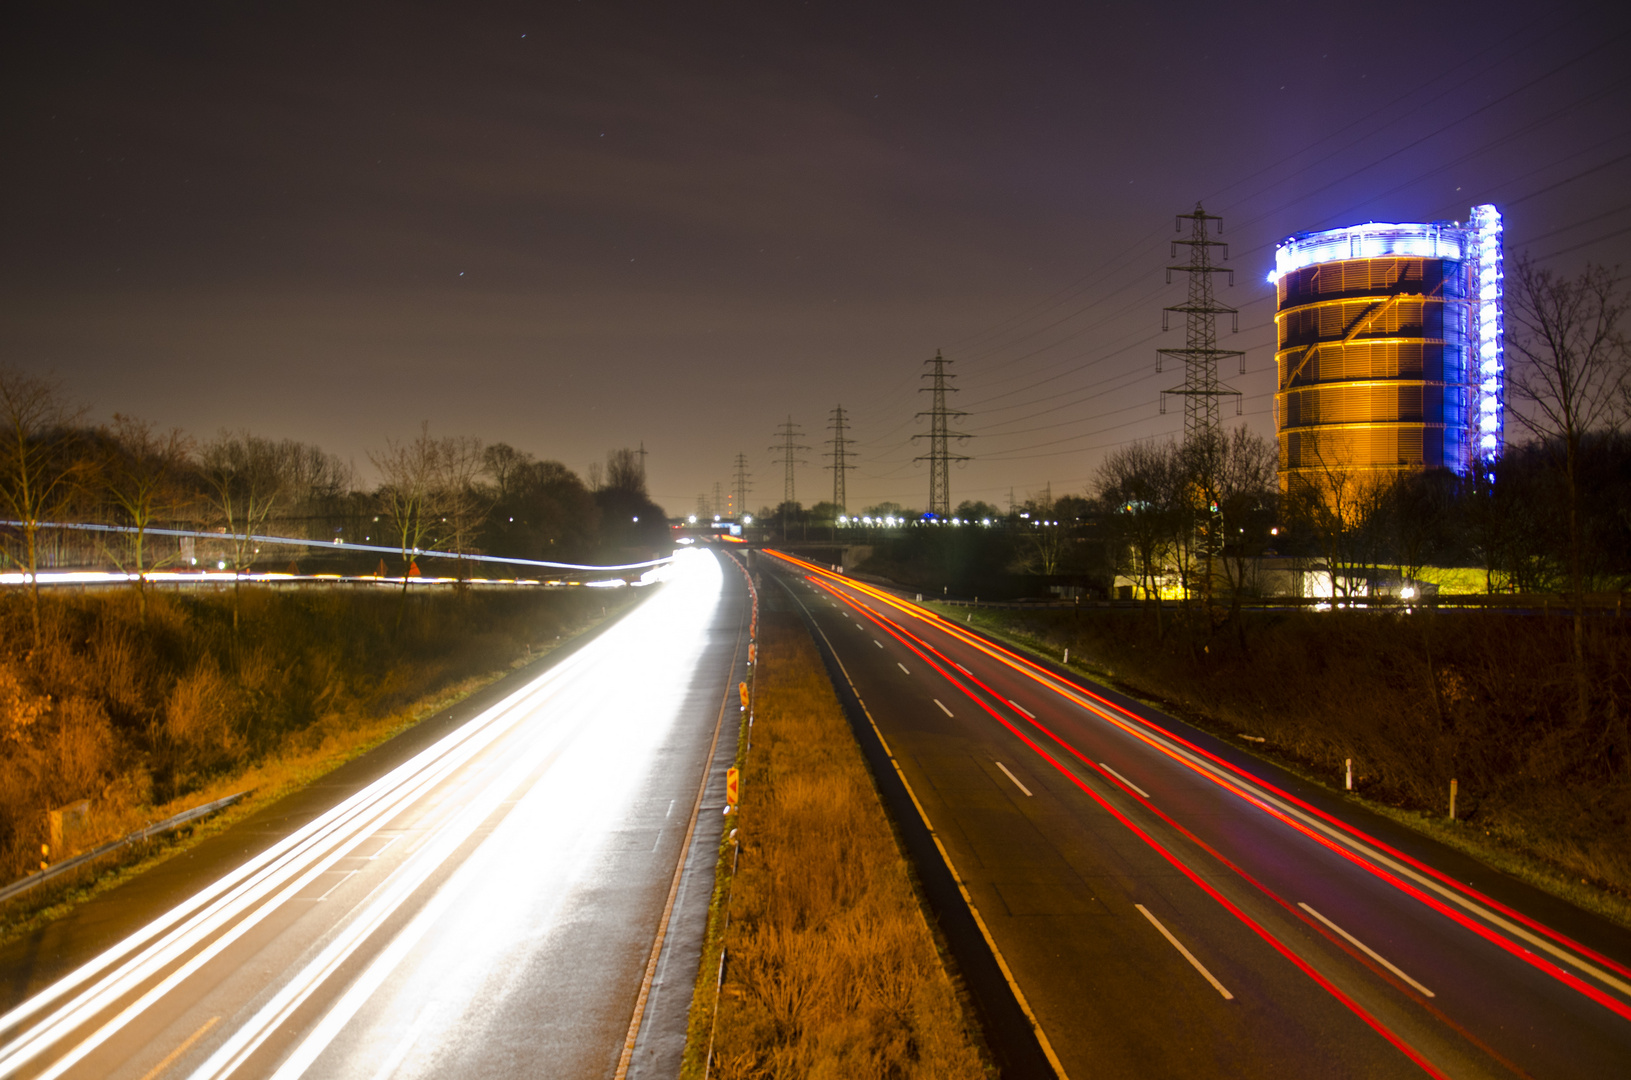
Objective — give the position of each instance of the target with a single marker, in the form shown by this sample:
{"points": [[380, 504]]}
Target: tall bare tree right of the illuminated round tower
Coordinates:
{"points": [[1568, 373]]}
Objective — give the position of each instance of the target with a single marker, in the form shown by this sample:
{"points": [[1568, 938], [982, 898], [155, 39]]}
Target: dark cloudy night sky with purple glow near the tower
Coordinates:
{"points": [[583, 226]]}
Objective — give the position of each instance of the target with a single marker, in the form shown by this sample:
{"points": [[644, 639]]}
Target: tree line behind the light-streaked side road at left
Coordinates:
{"points": [[453, 494]]}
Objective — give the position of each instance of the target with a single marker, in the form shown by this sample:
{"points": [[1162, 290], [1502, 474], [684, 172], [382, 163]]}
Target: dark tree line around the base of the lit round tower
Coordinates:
{"points": [[1201, 518]]}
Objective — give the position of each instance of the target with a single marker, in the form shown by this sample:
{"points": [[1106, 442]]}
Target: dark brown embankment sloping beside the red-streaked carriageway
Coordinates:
{"points": [[1417, 701]]}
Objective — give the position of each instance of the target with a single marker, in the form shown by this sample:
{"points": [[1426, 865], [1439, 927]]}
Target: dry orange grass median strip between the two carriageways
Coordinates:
{"points": [[831, 967]]}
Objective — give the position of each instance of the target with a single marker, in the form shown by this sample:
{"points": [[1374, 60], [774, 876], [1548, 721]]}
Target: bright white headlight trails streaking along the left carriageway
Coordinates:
{"points": [[639, 670]]}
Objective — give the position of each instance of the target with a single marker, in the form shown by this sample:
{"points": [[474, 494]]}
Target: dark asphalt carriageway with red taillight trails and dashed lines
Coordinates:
{"points": [[1167, 906]]}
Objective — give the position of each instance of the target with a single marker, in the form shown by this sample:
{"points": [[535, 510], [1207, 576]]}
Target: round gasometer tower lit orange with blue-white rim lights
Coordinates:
{"points": [[1390, 348]]}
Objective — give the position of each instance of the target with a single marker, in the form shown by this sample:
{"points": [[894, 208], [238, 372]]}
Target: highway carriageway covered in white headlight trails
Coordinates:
{"points": [[521, 896]]}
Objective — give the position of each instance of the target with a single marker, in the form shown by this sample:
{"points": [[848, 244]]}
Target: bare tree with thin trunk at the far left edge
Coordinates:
{"points": [[40, 464]]}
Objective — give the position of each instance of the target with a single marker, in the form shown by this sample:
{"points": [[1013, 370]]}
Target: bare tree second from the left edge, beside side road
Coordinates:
{"points": [[144, 479]]}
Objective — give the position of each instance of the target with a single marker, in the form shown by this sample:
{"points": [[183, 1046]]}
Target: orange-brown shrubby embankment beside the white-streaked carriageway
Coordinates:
{"points": [[151, 712]]}
